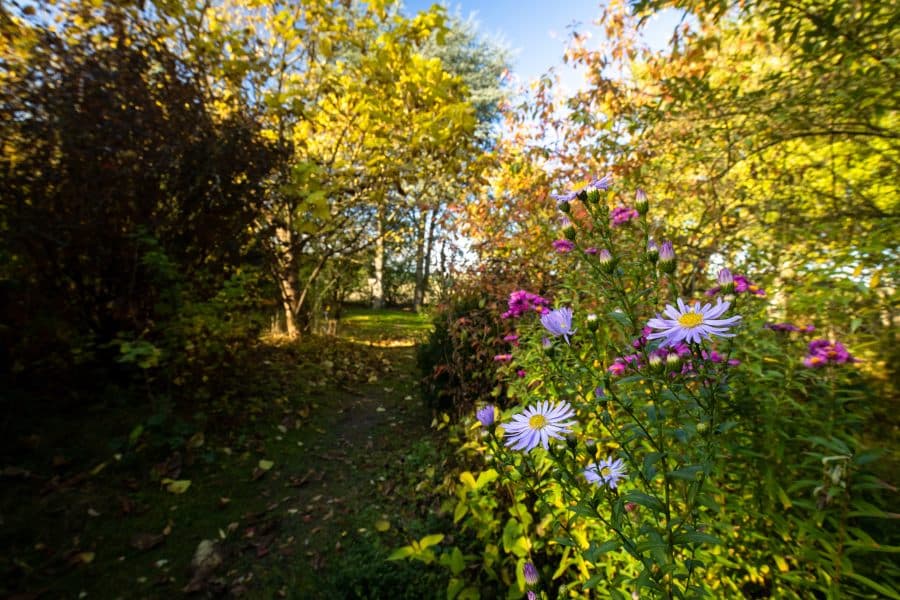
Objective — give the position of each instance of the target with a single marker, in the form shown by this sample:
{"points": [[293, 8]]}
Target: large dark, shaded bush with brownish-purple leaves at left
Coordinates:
{"points": [[123, 201]]}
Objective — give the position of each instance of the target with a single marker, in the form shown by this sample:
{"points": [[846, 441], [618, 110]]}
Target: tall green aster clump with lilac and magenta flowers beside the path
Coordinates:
{"points": [[667, 446]]}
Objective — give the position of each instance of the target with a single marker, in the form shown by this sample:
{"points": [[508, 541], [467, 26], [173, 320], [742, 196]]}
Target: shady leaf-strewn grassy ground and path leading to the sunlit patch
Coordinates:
{"points": [[324, 466]]}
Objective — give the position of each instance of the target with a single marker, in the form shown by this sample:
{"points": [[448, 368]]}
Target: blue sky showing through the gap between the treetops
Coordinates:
{"points": [[536, 30]]}
